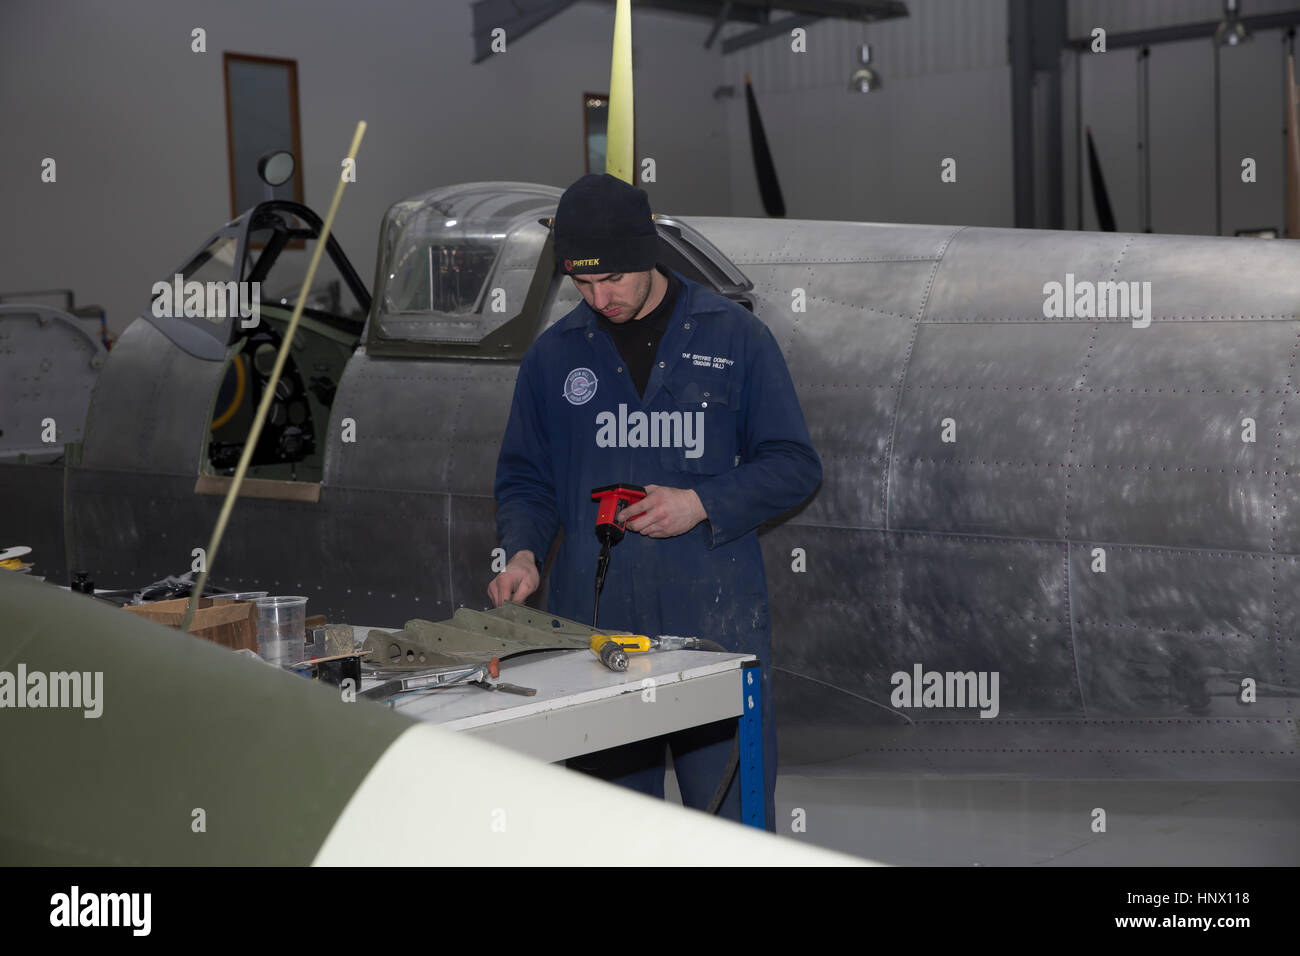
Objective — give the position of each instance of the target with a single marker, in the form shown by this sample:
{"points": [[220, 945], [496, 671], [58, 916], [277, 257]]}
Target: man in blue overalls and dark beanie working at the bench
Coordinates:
{"points": [[661, 383]]}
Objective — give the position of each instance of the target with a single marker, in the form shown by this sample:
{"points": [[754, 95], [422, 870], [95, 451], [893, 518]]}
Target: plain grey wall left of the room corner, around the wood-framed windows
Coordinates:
{"points": [[136, 122]]}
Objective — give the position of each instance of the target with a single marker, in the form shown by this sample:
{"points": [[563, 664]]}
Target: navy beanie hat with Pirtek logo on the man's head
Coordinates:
{"points": [[604, 226]]}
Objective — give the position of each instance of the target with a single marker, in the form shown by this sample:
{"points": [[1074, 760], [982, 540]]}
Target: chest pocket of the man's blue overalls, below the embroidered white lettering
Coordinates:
{"points": [[709, 409]]}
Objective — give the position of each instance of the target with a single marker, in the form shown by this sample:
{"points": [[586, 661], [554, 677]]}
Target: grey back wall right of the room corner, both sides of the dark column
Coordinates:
{"points": [[948, 93]]}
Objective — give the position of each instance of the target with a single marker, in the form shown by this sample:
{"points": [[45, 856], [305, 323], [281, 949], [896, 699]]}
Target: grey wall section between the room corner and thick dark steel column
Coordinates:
{"points": [[876, 158]]}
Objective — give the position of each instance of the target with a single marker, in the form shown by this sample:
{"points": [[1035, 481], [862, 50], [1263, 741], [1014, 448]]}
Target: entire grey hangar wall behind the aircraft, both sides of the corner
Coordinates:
{"points": [[141, 137]]}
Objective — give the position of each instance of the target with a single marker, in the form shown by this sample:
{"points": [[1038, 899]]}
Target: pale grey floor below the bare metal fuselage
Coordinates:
{"points": [[973, 821]]}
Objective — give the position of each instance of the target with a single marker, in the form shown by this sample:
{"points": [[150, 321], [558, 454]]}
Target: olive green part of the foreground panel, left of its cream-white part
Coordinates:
{"points": [[187, 733]]}
